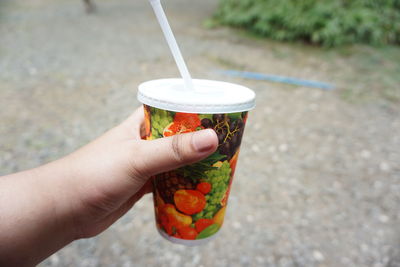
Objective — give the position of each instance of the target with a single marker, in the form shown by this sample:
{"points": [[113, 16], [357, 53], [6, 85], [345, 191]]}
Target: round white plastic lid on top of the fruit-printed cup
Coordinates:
{"points": [[209, 97]]}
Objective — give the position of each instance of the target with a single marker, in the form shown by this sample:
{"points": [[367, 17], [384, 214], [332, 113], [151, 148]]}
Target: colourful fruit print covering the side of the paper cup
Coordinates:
{"points": [[190, 202]]}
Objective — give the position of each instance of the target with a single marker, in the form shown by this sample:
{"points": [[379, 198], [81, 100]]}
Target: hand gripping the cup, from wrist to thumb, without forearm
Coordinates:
{"points": [[114, 170]]}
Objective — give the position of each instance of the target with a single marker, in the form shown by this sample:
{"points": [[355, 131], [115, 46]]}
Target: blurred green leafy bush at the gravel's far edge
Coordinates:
{"points": [[326, 22]]}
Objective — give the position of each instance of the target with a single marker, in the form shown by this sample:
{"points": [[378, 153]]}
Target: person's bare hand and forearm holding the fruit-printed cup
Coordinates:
{"points": [[43, 209]]}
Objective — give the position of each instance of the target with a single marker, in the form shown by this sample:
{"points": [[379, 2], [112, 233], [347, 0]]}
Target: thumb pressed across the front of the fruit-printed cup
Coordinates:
{"points": [[169, 153]]}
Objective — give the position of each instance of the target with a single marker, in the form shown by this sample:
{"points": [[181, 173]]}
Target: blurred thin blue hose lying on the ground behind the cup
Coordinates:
{"points": [[276, 78]]}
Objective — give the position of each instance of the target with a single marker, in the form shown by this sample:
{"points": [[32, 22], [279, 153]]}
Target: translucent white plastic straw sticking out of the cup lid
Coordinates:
{"points": [[169, 36]]}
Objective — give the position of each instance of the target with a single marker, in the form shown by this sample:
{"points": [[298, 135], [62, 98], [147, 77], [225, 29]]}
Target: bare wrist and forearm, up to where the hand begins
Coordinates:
{"points": [[37, 224]]}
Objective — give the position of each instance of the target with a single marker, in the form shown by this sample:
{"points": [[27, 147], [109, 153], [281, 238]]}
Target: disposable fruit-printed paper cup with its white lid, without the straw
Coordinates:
{"points": [[190, 202]]}
